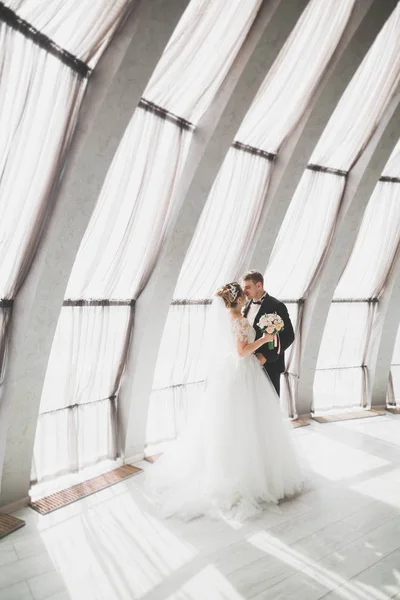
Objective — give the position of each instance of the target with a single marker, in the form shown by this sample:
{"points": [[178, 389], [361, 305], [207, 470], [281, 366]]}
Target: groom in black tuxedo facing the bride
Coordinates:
{"points": [[260, 303]]}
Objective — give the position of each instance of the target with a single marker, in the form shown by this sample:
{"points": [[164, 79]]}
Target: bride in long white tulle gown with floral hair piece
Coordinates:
{"points": [[236, 452]]}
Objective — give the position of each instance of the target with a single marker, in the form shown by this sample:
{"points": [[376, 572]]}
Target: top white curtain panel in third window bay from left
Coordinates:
{"points": [[295, 74]]}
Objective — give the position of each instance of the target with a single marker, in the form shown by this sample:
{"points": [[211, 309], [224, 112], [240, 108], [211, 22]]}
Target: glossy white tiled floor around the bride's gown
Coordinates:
{"points": [[339, 540]]}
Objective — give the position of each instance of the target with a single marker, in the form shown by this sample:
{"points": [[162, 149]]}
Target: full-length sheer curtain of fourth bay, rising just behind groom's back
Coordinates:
{"points": [[309, 223]]}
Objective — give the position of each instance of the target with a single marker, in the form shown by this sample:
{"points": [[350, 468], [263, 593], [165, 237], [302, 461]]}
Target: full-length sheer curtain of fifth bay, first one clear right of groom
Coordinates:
{"points": [[342, 373]]}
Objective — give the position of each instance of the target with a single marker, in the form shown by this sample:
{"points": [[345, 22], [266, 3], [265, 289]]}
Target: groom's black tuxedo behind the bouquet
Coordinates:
{"points": [[275, 364]]}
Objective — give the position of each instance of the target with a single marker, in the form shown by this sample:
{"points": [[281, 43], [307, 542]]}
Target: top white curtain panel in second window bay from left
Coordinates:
{"points": [[200, 54]]}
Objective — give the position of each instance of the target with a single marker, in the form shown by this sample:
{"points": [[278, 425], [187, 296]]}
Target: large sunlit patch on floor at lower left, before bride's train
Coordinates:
{"points": [[117, 548]]}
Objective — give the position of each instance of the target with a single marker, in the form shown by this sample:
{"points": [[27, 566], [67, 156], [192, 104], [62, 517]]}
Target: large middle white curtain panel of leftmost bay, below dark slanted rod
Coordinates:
{"points": [[39, 104]]}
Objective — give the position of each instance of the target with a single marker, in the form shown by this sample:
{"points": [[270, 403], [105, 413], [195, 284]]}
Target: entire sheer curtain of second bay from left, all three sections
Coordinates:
{"points": [[126, 232]]}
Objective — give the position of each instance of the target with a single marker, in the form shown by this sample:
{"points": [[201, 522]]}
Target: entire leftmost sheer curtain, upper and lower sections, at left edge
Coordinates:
{"points": [[40, 97]]}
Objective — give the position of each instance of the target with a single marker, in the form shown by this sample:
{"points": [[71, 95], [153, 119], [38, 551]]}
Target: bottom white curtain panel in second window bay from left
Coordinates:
{"points": [[77, 424]]}
